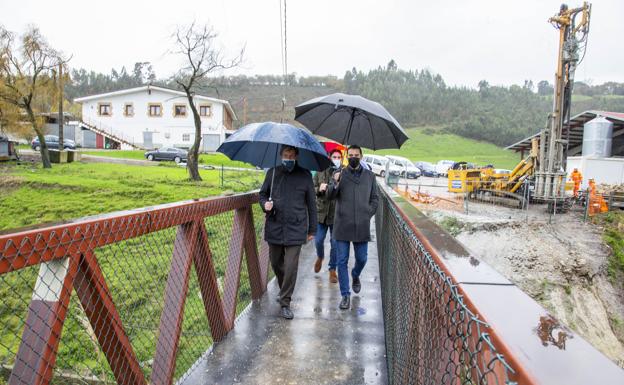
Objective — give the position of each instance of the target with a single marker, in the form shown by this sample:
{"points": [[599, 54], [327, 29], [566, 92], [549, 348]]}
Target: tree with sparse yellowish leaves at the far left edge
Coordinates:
{"points": [[25, 76]]}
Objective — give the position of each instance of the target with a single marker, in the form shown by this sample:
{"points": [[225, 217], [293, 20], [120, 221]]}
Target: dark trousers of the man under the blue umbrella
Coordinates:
{"points": [[285, 263]]}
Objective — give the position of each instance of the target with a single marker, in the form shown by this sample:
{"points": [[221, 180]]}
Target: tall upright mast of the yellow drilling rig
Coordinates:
{"points": [[551, 175]]}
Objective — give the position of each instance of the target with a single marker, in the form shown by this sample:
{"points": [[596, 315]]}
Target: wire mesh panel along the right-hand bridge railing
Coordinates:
{"points": [[432, 337]]}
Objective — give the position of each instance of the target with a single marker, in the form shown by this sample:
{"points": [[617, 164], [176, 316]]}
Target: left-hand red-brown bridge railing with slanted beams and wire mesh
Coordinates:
{"points": [[135, 297]]}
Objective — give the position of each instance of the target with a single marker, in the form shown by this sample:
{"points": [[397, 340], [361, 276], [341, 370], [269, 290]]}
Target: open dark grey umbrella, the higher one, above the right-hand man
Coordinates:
{"points": [[351, 119]]}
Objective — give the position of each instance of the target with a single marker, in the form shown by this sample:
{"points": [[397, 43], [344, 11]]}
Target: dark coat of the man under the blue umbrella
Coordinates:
{"points": [[294, 206]]}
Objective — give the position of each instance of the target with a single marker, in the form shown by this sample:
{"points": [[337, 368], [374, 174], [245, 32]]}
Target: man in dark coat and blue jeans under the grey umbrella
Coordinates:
{"points": [[355, 191]]}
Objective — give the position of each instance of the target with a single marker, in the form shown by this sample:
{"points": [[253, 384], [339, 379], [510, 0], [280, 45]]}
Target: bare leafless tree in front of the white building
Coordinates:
{"points": [[202, 56]]}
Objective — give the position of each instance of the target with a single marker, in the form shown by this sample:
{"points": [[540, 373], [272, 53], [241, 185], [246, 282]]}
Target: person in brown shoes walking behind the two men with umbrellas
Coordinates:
{"points": [[325, 208]]}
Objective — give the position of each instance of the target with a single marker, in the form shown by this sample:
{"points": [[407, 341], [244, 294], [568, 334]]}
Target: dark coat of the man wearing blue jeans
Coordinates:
{"points": [[356, 203]]}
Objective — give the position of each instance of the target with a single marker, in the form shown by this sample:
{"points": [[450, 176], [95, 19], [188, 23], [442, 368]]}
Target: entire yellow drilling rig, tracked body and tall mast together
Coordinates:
{"points": [[546, 163]]}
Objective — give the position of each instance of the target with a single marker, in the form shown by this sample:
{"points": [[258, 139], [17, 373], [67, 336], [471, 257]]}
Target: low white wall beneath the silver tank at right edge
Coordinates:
{"points": [[602, 170]]}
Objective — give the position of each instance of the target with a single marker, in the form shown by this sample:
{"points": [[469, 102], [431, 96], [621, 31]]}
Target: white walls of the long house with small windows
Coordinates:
{"points": [[166, 129]]}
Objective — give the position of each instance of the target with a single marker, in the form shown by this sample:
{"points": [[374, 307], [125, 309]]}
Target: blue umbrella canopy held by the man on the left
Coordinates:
{"points": [[260, 143]]}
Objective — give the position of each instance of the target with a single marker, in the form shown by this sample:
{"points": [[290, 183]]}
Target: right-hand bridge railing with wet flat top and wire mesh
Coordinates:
{"points": [[451, 319]]}
